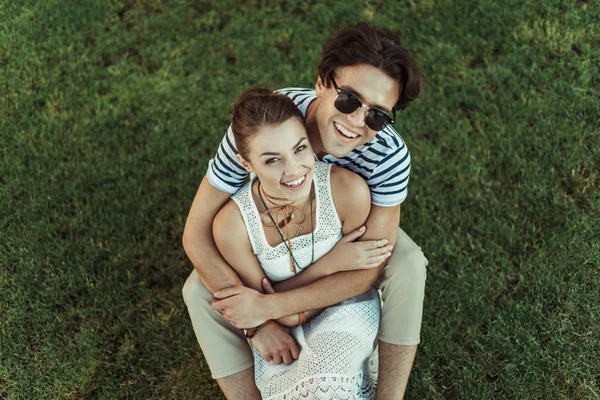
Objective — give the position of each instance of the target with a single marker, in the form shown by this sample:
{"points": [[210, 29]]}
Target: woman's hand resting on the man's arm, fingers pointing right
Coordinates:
{"points": [[349, 255]]}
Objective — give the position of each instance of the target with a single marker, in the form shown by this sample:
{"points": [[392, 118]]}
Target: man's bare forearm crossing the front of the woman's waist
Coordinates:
{"points": [[322, 293]]}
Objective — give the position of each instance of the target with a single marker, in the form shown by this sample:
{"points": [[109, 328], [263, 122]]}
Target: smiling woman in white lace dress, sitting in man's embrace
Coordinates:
{"points": [[278, 225]]}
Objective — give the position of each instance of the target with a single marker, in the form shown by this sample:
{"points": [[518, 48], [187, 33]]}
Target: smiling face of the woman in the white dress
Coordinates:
{"points": [[283, 160]]}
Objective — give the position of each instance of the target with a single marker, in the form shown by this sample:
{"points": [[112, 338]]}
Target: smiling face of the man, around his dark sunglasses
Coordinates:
{"points": [[340, 133]]}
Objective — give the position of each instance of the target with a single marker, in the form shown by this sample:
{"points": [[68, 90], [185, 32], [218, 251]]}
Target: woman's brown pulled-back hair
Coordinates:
{"points": [[255, 108]]}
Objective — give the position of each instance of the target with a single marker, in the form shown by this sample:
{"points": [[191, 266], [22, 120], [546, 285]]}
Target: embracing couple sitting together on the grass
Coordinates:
{"points": [[283, 296]]}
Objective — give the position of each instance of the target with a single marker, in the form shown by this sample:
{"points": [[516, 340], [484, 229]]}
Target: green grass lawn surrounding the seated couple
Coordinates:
{"points": [[111, 110]]}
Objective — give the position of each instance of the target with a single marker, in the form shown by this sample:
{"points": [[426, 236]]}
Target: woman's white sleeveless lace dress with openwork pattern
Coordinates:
{"points": [[336, 347]]}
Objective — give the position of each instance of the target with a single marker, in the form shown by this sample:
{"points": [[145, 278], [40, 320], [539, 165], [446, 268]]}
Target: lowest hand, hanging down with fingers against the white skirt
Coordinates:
{"points": [[274, 343]]}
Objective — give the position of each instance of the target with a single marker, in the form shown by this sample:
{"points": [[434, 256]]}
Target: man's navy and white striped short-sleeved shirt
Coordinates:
{"points": [[384, 162]]}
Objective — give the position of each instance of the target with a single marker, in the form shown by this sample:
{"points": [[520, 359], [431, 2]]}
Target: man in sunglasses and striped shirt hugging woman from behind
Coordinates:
{"points": [[364, 76]]}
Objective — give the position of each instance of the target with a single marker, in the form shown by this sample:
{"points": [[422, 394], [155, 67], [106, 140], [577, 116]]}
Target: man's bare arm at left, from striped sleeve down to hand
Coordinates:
{"points": [[198, 240]]}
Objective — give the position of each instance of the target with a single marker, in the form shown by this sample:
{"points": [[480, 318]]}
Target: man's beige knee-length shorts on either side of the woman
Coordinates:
{"points": [[402, 286]]}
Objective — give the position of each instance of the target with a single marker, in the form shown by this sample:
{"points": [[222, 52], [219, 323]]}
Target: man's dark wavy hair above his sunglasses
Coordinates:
{"points": [[365, 44]]}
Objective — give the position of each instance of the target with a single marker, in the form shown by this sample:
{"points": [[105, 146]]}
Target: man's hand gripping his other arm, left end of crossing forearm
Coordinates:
{"points": [[242, 306]]}
